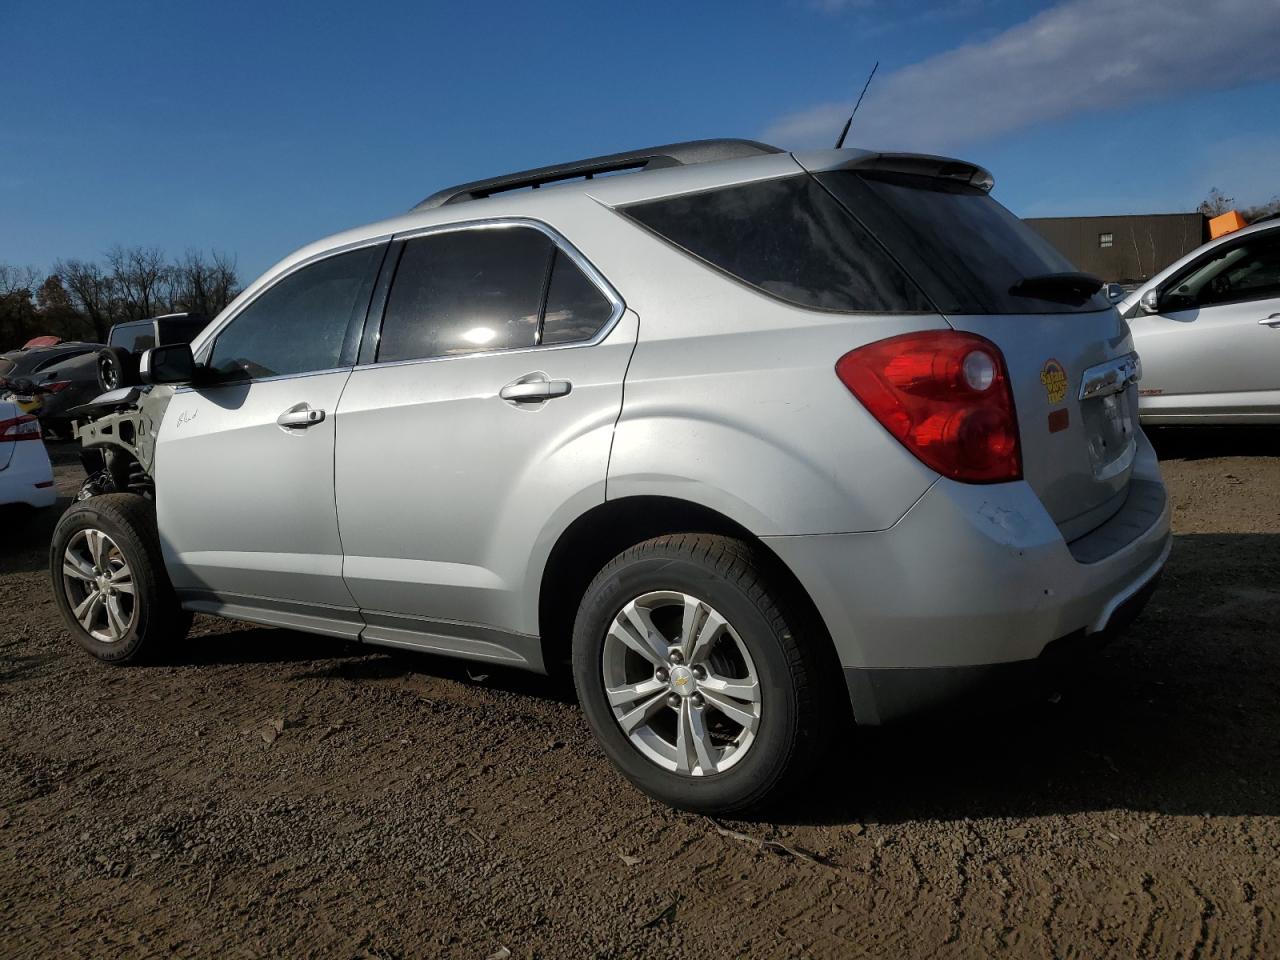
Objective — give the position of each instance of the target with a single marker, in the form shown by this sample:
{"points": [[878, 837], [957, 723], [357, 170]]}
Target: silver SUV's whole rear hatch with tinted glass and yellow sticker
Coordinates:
{"points": [[1069, 355]]}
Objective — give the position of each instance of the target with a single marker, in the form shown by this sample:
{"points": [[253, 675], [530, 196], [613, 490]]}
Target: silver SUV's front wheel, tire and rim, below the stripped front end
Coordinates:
{"points": [[109, 579]]}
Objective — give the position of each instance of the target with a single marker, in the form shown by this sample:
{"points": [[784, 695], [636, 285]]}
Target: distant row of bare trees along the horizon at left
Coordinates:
{"points": [[81, 300]]}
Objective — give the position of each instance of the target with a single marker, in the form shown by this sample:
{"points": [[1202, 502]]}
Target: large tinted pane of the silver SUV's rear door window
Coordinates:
{"points": [[467, 291]]}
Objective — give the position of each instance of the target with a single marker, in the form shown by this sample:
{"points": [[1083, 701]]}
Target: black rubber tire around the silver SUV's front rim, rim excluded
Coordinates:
{"points": [[148, 593]]}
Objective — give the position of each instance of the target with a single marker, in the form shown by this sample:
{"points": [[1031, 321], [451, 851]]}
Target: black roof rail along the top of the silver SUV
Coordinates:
{"points": [[694, 152]]}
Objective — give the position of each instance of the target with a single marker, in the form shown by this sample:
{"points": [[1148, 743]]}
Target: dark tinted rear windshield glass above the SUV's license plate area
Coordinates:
{"points": [[966, 250]]}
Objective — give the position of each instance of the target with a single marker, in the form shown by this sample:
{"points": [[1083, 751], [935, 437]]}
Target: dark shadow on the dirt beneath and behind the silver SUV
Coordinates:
{"points": [[1180, 716]]}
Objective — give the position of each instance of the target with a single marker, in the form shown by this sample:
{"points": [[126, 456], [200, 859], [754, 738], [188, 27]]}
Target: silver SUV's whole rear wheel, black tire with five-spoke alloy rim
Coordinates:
{"points": [[701, 674]]}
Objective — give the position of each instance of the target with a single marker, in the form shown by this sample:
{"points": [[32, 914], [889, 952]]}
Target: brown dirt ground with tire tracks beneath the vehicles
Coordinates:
{"points": [[269, 793]]}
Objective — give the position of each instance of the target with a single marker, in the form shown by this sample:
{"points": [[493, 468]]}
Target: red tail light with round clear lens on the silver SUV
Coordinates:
{"points": [[947, 397]]}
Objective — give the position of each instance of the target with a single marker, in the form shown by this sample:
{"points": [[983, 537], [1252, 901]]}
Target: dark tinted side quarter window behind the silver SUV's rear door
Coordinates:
{"points": [[790, 239]]}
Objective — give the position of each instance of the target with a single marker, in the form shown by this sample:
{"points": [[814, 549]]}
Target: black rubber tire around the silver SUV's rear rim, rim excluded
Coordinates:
{"points": [[767, 760]]}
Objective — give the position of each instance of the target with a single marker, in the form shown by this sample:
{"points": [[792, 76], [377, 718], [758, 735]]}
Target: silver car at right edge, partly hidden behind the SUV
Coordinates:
{"points": [[1209, 333]]}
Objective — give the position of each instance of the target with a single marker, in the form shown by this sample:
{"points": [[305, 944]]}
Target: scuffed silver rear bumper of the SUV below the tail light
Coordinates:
{"points": [[973, 579]]}
